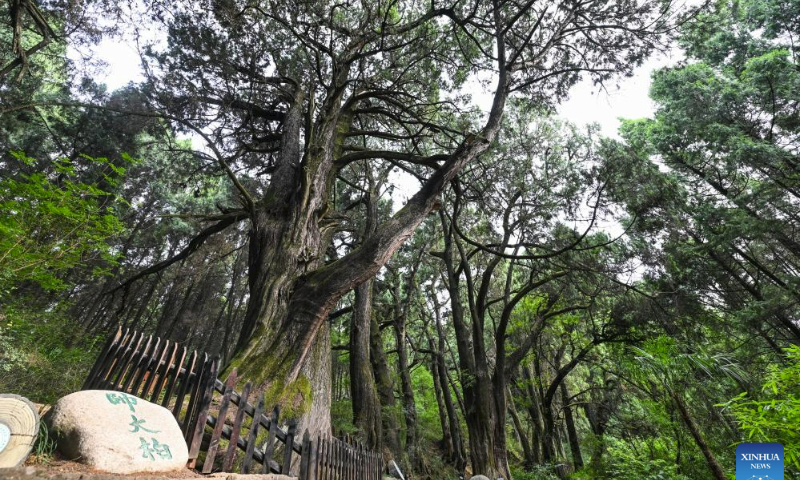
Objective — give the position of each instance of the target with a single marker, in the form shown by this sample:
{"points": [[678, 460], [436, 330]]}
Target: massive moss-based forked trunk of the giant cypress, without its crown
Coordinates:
{"points": [[284, 347]]}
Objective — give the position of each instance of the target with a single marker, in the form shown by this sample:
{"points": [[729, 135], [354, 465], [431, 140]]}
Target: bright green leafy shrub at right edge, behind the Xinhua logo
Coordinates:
{"points": [[775, 415]]}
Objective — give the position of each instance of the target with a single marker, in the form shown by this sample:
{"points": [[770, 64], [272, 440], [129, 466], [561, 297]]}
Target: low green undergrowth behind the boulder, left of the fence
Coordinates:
{"points": [[39, 358]]}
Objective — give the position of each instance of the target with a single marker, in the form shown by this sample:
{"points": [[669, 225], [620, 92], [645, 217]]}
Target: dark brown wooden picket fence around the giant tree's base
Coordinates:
{"points": [[164, 373]]}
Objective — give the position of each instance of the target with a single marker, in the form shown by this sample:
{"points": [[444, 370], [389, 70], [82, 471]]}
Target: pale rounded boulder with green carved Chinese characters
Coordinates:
{"points": [[116, 432]]}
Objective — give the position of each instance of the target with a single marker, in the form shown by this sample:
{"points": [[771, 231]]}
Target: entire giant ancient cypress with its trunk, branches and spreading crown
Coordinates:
{"points": [[285, 95]]}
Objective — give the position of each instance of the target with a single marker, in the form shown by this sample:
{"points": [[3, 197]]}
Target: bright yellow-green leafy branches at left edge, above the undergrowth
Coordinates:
{"points": [[53, 221]]}
